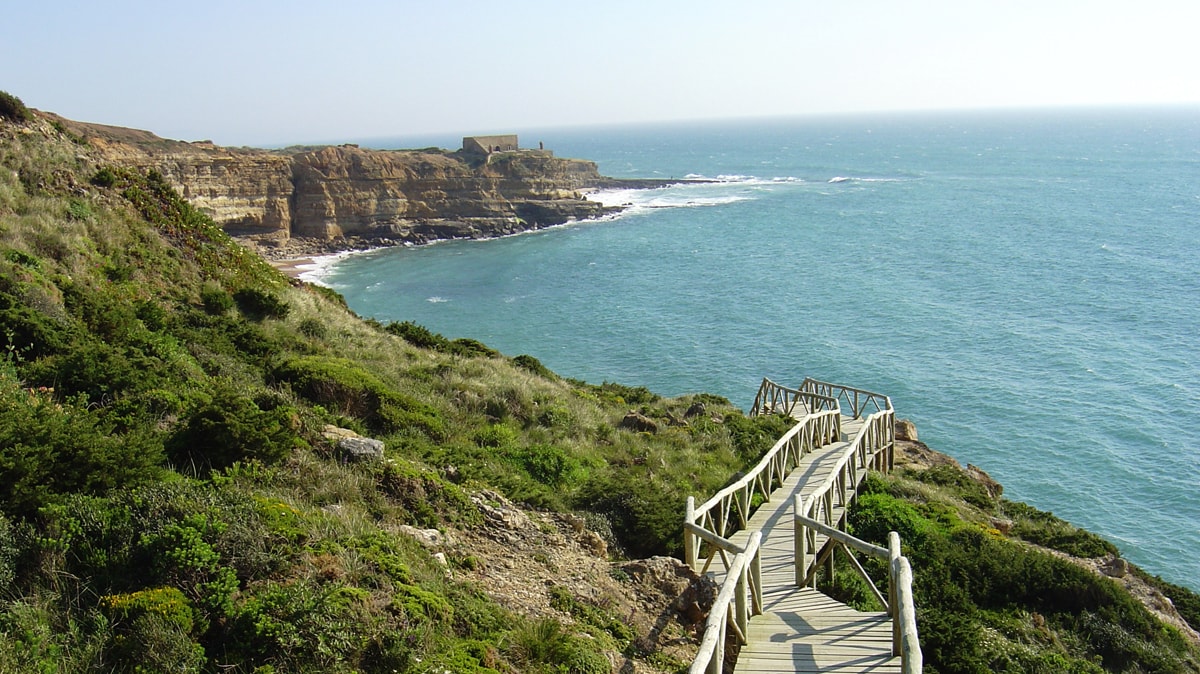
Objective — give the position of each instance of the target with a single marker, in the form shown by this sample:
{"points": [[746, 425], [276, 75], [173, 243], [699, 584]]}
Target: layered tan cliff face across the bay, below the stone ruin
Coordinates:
{"points": [[346, 191]]}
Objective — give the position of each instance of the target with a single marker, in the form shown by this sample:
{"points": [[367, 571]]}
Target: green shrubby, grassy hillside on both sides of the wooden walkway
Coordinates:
{"points": [[171, 498]]}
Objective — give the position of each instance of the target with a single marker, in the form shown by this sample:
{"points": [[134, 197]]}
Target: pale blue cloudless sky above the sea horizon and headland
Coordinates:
{"points": [[273, 73]]}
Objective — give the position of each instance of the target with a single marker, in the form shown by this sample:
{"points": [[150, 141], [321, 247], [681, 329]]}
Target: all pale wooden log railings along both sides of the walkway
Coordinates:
{"points": [[715, 522]]}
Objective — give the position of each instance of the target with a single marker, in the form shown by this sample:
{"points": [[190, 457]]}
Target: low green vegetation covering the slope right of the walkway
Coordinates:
{"points": [[993, 595]]}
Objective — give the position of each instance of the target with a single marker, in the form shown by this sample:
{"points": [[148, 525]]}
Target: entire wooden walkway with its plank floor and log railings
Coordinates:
{"points": [[770, 535]]}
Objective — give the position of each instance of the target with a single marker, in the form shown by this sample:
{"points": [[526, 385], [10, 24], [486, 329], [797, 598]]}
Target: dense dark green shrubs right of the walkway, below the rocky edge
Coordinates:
{"points": [[967, 576]]}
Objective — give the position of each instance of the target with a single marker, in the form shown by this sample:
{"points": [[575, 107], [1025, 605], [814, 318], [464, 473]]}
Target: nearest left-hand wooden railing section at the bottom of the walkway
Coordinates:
{"points": [[741, 597]]}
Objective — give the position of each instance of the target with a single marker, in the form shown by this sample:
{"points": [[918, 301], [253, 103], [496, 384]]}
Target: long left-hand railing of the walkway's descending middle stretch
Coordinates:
{"points": [[729, 511]]}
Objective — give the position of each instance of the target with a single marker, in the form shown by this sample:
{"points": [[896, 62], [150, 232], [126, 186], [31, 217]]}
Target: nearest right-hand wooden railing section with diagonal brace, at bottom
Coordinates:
{"points": [[899, 604]]}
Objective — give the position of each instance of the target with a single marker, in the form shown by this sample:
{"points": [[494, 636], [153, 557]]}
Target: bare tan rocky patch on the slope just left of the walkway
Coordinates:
{"points": [[551, 565]]}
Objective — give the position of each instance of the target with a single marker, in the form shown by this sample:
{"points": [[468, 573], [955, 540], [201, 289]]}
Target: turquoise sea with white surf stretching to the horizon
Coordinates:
{"points": [[1025, 286]]}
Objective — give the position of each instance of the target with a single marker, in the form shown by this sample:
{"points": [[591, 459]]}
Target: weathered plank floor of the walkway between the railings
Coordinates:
{"points": [[801, 629]]}
